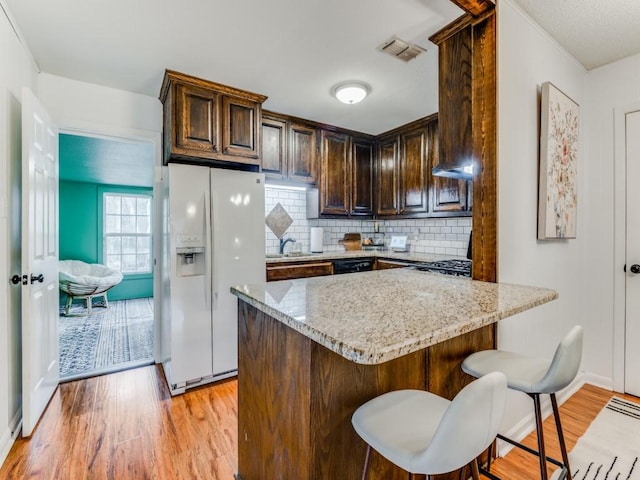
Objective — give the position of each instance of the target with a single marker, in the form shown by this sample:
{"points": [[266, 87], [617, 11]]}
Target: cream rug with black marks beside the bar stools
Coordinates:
{"points": [[610, 448]]}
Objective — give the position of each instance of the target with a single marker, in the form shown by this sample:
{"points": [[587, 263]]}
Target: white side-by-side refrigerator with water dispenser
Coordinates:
{"points": [[216, 240]]}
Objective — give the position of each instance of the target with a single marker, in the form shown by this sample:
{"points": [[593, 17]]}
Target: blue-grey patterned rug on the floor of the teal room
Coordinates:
{"points": [[107, 340]]}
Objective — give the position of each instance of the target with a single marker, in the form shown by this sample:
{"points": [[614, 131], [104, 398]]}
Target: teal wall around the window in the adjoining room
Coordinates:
{"points": [[81, 232]]}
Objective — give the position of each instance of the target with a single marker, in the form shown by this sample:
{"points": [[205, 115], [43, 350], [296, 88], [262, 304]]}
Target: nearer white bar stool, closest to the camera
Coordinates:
{"points": [[427, 434]]}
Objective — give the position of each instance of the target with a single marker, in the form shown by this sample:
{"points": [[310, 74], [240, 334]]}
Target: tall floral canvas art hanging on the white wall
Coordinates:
{"points": [[557, 194]]}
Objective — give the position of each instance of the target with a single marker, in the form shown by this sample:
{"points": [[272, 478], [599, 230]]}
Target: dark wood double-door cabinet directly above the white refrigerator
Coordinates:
{"points": [[209, 122]]}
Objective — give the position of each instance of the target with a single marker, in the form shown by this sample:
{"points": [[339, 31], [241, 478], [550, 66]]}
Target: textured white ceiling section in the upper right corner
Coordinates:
{"points": [[595, 32]]}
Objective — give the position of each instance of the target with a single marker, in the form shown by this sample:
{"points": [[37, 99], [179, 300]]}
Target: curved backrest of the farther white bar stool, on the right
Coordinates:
{"points": [[565, 364]]}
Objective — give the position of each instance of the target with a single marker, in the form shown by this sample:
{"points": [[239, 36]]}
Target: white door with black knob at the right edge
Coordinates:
{"points": [[632, 287]]}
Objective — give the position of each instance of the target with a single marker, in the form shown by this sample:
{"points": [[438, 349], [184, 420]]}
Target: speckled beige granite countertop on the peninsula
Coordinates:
{"points": [[374, 317]]}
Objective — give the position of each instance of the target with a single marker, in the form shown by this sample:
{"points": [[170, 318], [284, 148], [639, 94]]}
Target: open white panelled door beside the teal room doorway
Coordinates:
{"points": [[39, 260]]}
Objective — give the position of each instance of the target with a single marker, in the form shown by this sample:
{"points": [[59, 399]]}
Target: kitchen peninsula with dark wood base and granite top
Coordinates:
{"points": [[312, 350]]}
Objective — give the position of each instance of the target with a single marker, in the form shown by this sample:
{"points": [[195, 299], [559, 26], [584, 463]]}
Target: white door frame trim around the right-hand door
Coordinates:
{"points": [[619, 256]]}
